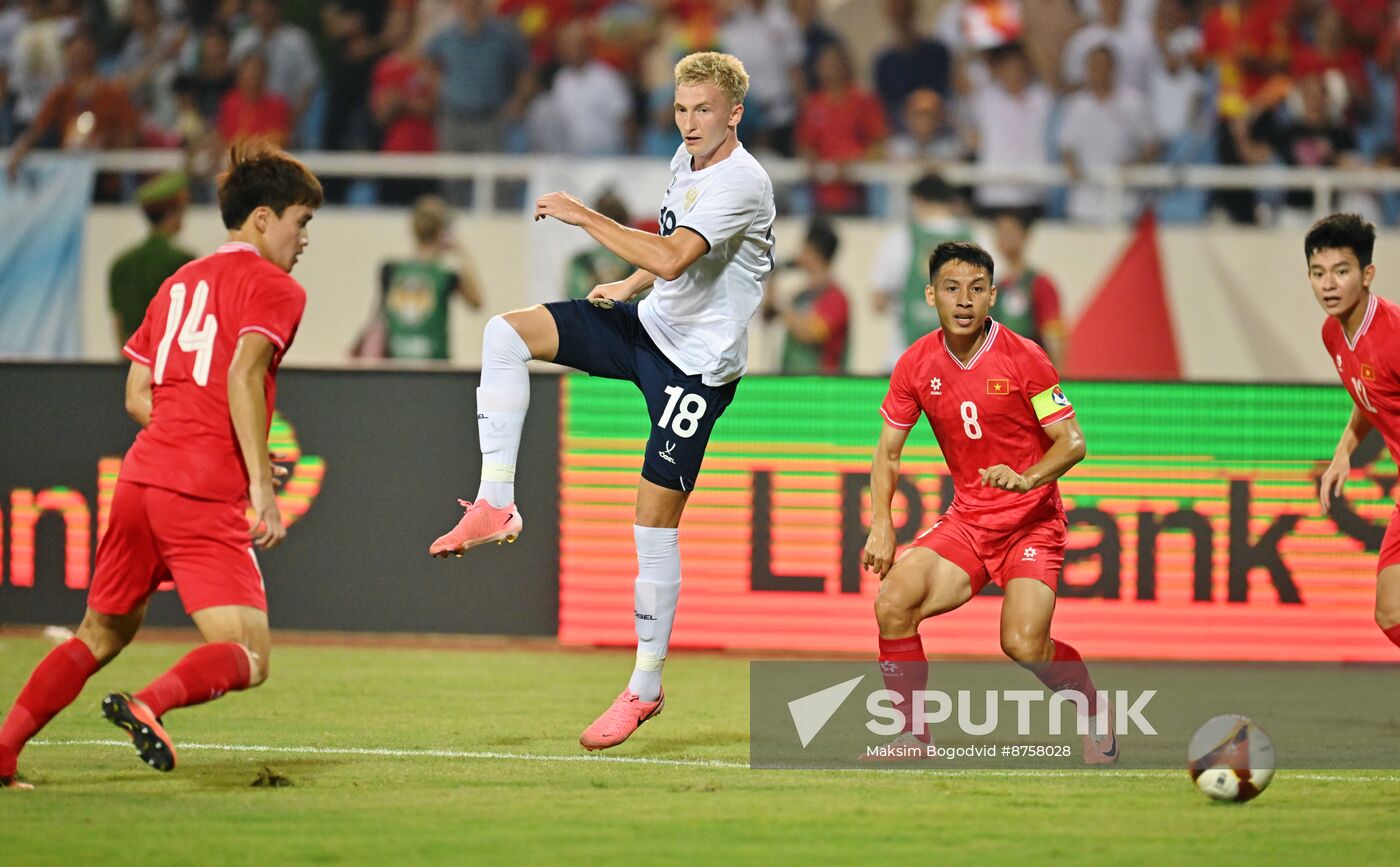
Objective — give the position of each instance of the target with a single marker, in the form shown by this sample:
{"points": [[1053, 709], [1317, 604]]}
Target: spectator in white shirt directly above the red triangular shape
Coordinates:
{"points": [[1105, 127]]}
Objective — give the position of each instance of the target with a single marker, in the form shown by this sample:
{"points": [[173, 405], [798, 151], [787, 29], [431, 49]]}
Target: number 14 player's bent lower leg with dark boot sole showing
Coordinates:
{"points": [[234, 658]]}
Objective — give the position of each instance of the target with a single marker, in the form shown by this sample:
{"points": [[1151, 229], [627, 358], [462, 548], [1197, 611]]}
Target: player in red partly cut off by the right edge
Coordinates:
{"points": [[1363, 337]]}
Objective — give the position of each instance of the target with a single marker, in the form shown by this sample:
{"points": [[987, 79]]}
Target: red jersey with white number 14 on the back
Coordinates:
{"points": [[188, 341]]}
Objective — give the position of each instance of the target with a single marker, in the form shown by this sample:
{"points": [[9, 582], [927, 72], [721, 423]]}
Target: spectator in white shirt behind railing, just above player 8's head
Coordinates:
{"points": [[1010, 128]]}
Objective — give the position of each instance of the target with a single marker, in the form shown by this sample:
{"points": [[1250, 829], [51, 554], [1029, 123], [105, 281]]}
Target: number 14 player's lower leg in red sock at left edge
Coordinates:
{"points": [[59, 679]]}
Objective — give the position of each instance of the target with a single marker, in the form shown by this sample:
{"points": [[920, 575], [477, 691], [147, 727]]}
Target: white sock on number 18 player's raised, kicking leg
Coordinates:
{"points": [[500, 410]]}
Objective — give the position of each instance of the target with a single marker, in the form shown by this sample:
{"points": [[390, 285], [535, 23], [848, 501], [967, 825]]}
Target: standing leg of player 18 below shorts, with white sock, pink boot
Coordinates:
{"points": [[656, 596]]}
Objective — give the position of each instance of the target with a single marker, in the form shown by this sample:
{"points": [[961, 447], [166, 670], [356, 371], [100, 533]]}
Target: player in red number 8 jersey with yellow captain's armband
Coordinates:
{"points": [[1007, 432]]}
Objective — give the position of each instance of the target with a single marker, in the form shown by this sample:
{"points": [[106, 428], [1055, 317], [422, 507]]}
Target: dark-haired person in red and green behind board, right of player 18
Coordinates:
{"points": [[818, 319]]}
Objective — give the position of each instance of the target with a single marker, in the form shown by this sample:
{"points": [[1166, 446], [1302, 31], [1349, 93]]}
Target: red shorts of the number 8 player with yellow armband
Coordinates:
{"points": [[1027, 553]]}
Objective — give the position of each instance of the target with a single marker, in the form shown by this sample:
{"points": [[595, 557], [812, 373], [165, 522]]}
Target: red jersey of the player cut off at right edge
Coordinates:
{"points": [[1370, 366]]}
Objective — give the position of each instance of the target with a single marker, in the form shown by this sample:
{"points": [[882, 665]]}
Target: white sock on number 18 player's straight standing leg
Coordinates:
{"points": [[656, 596]]}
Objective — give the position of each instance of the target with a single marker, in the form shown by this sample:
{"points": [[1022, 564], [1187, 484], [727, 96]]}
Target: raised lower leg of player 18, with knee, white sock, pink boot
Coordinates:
{"points": [[509, 344]]}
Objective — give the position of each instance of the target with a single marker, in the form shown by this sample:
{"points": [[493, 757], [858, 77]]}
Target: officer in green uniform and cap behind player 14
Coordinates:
{"points": [[139, 272]]}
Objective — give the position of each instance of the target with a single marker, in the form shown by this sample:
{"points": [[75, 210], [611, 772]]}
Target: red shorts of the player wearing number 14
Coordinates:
{"points": [[156, 534]]}
